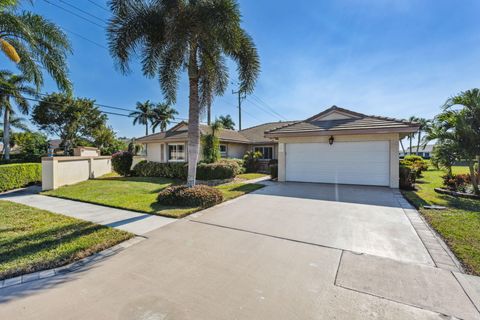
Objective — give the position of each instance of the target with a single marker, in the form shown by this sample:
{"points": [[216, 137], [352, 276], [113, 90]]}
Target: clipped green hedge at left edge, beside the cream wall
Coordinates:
{"points": [[19, 175]]}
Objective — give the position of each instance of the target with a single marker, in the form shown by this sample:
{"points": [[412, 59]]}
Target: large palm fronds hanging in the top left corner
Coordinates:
{"points": [[34, 43]]}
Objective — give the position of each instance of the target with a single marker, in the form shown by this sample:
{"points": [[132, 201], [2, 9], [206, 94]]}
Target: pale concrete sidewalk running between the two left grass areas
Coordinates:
{"points": [[134, 222]]}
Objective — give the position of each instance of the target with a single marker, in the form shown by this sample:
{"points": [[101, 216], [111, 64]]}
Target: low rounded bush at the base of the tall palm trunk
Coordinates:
{"points": [[197, 196]]}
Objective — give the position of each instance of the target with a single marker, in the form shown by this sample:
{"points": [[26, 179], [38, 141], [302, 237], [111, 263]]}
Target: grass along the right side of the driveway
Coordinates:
{"points": [[459, 225]]}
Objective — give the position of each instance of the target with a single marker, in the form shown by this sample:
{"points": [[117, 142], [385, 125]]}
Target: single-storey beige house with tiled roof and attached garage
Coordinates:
{"points": [[335, 146]]}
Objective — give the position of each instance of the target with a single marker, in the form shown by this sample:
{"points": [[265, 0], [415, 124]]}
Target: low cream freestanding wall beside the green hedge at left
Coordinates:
{"points": [[60, 171]]}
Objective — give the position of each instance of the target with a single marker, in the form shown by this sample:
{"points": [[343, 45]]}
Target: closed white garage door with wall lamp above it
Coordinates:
{"points": [[366, 163]]}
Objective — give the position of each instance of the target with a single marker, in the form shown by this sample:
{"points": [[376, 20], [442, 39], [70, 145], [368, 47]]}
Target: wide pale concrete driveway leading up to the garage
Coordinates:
{"points": [[288, 251]]}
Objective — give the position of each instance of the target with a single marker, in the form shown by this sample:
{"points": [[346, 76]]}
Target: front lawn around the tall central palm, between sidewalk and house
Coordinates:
{"points": [[138, 194]]}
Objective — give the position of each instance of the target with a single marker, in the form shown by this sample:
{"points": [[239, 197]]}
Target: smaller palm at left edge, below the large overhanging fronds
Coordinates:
{"points": [[12, 87]]}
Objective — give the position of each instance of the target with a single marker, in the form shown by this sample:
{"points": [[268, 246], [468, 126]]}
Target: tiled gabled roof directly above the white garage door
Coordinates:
{"points": [[337, 120]]}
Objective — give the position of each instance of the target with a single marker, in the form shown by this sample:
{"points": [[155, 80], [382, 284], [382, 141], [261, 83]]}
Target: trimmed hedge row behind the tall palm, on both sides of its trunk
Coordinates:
{"points": [[173, 170]]}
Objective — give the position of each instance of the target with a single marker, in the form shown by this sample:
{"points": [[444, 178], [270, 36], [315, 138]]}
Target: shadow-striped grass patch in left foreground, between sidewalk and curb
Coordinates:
{"points": [[33, 239]]}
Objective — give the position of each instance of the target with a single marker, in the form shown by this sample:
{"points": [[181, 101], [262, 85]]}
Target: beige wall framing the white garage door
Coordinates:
{"points": [[392, 137]]}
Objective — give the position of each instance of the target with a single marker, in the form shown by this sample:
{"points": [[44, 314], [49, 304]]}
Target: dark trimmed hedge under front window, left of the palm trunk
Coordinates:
{"points": [[172, 170]]}
